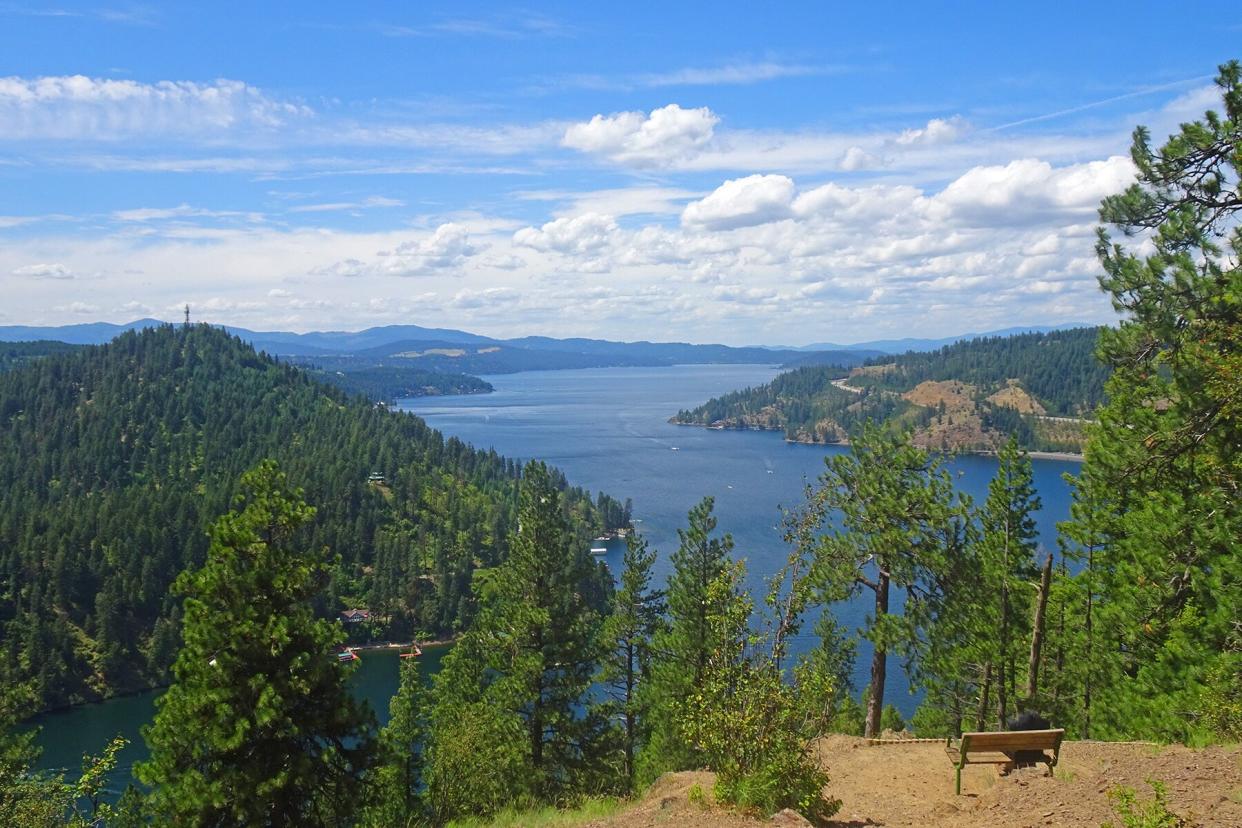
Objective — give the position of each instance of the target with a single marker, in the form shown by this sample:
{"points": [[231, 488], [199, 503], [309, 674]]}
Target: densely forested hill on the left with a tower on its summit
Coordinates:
{"points": [[115, 460]]}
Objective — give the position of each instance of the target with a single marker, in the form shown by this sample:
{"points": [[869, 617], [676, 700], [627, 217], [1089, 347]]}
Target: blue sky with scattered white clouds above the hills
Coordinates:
{"points": [[738, 173]]}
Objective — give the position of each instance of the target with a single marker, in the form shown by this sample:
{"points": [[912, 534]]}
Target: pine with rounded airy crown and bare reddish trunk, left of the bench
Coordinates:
{"points": [[895, 501]]}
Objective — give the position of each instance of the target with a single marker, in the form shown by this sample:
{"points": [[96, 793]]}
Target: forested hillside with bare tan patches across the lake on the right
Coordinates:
{"points": [[1039, 388]]}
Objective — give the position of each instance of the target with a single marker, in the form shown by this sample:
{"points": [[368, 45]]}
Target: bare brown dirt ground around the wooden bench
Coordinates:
{"points": [[912, 785]]}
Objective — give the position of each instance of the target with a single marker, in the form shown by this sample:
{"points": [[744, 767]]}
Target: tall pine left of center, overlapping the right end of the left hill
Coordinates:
{"points": [[522, 673]]}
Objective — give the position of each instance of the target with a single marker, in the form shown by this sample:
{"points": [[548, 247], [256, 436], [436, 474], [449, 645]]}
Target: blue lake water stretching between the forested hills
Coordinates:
{"points": [[609, 430]]}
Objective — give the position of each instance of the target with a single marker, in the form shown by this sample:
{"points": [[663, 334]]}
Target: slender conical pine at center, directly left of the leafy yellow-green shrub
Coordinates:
{"points": [[681, 651]]}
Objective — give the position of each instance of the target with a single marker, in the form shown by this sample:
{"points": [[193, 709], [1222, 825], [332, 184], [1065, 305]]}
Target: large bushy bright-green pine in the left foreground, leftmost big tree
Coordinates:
{"points": [[259, 727]]}
